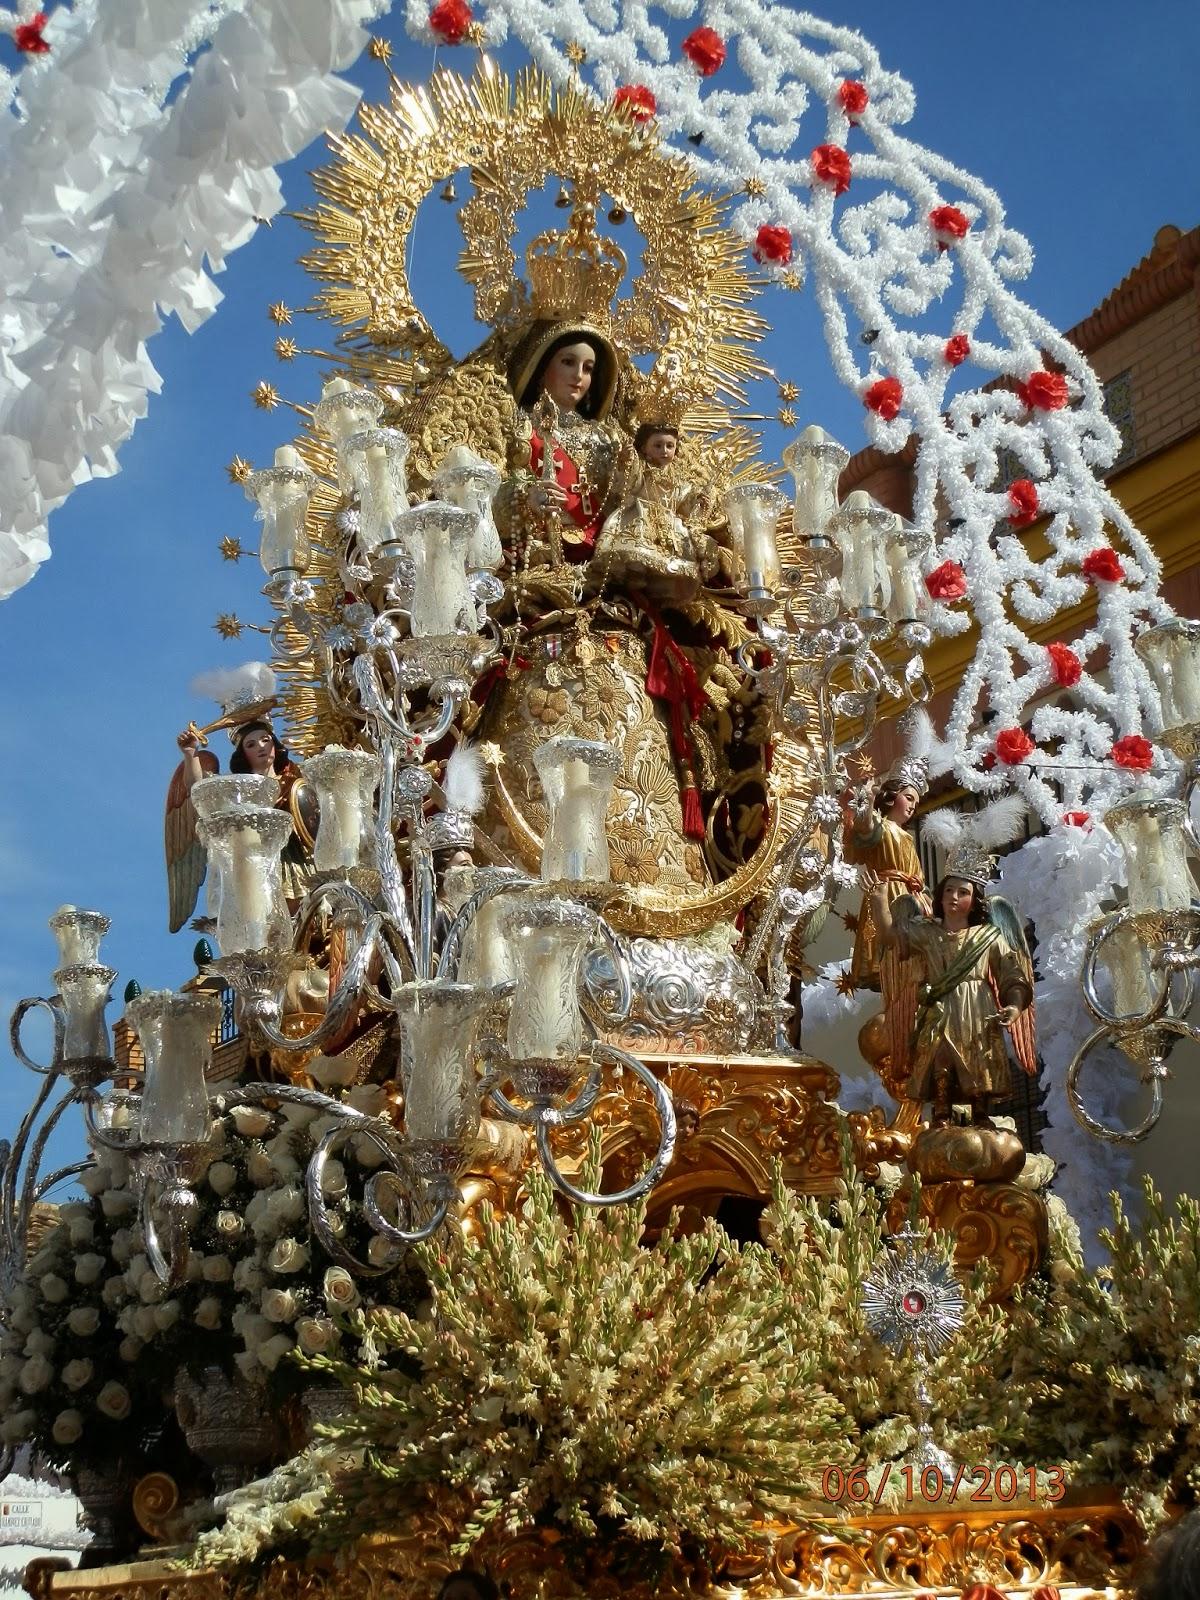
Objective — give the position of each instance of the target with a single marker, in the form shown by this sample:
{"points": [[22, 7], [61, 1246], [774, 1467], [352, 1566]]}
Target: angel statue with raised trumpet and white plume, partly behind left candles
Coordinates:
{"points": [[247, 697]]}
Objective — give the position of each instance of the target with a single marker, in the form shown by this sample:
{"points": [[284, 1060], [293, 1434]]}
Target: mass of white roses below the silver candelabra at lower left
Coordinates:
{"points": [[90, 1337]]}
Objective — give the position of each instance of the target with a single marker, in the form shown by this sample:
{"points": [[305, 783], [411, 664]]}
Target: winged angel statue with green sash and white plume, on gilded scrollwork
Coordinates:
{"points": [[970, 978]]}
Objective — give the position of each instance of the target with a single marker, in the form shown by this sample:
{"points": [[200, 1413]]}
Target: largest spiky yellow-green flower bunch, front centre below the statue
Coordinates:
{"points": [[570, 1375]]}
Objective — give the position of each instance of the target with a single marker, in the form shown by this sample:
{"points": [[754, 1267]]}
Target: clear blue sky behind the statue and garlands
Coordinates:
{"points": [[1081, 116]]}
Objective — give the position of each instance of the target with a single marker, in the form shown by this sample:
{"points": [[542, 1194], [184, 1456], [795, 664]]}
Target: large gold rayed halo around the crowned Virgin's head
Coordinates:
{"points": [[689, 305]]}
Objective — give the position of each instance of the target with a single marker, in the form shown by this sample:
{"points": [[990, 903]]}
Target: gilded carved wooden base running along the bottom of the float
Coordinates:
{"points": [[1087, 1550]]}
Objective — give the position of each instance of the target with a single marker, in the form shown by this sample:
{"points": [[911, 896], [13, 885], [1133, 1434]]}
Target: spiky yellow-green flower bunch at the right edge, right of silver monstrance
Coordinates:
{"points": [[1108, 1369]]}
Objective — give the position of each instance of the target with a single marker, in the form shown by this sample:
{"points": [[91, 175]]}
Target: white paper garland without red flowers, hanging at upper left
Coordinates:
{"points": [[113, 201]]}
